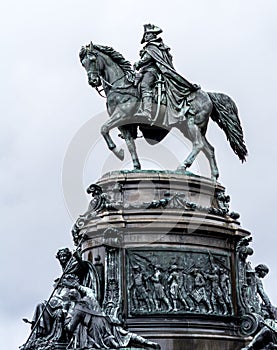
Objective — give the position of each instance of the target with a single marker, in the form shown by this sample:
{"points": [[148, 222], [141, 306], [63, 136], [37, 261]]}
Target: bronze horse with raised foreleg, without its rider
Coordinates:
{"points": [[108, 68]]}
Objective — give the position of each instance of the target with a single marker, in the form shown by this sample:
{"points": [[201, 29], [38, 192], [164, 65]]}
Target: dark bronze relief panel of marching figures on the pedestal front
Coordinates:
{"points": [[203, 287]]}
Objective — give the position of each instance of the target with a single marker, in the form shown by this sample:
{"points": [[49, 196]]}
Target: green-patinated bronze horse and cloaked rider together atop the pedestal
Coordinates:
{"points": [[156, 99]]}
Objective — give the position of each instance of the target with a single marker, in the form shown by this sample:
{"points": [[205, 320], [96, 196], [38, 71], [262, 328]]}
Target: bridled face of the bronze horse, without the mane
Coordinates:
{"points": [[88, 58]]}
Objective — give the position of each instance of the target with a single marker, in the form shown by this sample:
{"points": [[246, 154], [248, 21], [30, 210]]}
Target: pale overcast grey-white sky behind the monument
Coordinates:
{"points": [[225, 45]]}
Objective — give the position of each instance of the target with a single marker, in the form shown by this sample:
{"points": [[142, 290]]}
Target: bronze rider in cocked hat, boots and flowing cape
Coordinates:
{"points": [[156, 60]]}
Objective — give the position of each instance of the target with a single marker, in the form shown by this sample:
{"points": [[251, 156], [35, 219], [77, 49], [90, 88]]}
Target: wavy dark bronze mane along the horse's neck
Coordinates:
{"points": [[114, 55]]}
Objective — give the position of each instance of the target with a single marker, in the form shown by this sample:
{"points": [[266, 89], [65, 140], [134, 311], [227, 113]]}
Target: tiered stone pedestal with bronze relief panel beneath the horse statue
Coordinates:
{"points": [[165, 248]]}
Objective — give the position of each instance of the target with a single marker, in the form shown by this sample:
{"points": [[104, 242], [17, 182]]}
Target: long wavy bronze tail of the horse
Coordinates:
{"points": [[225, 114]]}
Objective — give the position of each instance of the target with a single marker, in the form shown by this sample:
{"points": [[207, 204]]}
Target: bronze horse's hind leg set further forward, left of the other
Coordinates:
{"points": [[195, 136]]}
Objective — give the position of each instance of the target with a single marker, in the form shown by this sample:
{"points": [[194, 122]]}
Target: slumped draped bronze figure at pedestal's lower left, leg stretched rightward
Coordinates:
{"points": [[90, 328]]}
